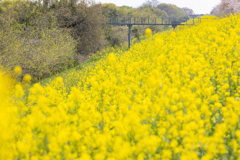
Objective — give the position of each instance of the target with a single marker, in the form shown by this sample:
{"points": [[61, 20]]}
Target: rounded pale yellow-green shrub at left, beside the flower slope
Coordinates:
{"points": [[40, 52]]}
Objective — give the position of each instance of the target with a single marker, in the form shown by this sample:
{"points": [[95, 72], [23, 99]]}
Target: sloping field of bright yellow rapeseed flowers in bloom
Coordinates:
{"points": [[172, 96]]}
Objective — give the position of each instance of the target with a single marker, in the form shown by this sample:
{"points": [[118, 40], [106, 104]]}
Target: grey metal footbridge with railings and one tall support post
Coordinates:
{"points": [[130, 21]]}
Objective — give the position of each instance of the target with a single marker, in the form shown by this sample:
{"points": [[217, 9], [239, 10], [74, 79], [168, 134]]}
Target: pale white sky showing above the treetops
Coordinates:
{"points": [[198, 6]]}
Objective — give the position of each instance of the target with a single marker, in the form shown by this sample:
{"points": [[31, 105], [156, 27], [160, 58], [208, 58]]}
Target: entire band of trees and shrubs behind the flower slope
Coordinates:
{"points": [[47, 36]]}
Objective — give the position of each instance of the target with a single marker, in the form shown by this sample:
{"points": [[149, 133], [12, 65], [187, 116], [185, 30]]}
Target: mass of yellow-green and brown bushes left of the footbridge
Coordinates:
{"points": [[46, 38]]}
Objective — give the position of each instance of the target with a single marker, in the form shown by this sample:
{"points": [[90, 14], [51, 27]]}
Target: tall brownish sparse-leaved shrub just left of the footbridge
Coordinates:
{"points": [[84, 21]]}
